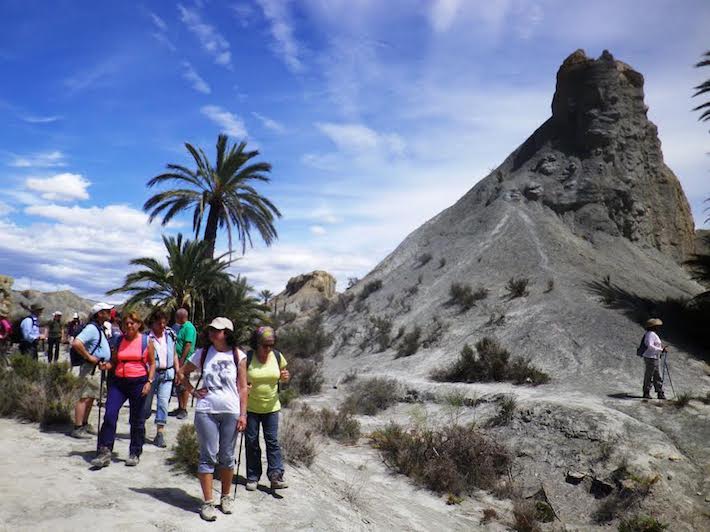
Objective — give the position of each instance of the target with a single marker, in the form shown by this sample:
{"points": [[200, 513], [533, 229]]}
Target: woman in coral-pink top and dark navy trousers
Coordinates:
{"points": [[133, 369]]}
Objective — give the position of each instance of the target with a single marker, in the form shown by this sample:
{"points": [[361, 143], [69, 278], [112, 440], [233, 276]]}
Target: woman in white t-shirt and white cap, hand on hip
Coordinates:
{"points": [[220, 411]]}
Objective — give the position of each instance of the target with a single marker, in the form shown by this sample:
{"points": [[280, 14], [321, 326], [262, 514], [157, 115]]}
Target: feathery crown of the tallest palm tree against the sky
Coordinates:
{"points": [[223, 191]]}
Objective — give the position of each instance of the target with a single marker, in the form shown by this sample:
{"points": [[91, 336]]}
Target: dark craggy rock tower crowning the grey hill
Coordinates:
{"points": [[597, 162]]}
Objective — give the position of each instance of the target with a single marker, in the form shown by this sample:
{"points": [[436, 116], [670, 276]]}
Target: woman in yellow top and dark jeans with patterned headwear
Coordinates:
{"points": [[265, 368]]}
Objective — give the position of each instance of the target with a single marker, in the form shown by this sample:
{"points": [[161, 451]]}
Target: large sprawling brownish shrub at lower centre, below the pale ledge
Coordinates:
{"points": [[454, 459]]}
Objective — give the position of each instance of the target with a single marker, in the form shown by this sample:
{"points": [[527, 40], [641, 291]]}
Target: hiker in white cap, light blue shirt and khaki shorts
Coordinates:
{"points": [[92, 345]]}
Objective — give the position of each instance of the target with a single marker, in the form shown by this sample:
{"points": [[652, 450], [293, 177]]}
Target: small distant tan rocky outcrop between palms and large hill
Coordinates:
{"points": [[305, 292]]}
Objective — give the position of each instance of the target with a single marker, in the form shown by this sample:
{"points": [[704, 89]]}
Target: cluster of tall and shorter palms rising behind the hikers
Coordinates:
{"points": [[193, 277]]}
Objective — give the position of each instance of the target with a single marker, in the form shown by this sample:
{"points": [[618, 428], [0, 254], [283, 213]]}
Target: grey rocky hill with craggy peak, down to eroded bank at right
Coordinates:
{"points": [[586, 213]]}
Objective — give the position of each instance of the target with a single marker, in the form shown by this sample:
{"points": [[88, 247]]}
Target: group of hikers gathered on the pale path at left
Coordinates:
{"points": [[237, 391]]}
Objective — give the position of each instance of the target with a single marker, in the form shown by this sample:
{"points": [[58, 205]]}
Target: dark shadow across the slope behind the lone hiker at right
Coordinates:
{"points": [[684, 320]]}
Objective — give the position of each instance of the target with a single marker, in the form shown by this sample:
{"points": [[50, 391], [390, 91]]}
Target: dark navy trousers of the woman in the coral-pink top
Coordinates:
{"points": [[120, 389]]}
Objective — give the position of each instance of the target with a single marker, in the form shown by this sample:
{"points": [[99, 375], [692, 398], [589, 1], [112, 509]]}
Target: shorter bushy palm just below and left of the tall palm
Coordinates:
{"points": [[189, 278]]}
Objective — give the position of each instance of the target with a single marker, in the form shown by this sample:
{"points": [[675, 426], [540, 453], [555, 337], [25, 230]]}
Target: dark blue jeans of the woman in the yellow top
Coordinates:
{"points": [[270, 424]]}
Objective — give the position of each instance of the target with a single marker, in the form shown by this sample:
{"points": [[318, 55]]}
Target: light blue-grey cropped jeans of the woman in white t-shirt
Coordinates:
{"points": [[217, 434]]}
